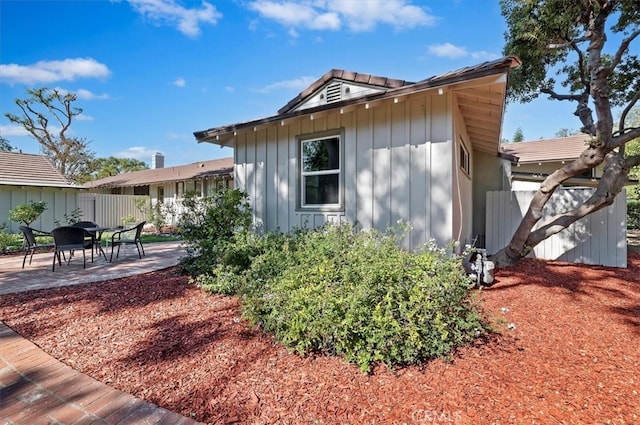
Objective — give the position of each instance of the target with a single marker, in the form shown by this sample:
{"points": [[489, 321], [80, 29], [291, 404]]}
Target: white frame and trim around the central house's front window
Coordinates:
{"points": [[300, 205]]}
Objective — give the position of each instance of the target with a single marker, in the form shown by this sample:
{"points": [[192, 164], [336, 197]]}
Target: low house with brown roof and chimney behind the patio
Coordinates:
{"points": [[167, 185]]}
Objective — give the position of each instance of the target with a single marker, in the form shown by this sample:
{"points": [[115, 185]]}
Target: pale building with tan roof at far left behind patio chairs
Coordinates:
{"points": [[28, 177]]}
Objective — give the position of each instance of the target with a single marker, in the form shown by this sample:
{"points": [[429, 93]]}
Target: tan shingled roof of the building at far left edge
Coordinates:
{"points": [[23, 169]]}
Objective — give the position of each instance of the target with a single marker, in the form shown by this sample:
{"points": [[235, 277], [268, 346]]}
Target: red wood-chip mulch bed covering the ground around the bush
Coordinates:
{"points": [[566, 350]]}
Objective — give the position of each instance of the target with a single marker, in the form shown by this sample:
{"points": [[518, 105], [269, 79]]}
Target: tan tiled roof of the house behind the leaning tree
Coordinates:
{"points": [[546, 150]]}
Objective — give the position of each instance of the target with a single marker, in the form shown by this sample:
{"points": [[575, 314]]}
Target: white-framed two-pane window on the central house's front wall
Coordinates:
{"points": [[320, 172]]}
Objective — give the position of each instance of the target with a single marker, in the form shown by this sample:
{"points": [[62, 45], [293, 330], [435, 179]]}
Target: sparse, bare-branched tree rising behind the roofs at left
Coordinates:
{"points": [[47, 114]]}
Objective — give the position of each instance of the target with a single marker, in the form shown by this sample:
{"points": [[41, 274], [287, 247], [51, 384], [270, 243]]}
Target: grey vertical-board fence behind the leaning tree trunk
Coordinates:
{"points": [[599, 238]]}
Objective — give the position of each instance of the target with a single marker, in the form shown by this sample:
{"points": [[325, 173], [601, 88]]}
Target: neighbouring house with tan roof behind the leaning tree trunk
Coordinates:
{"points": [[529, 163]]}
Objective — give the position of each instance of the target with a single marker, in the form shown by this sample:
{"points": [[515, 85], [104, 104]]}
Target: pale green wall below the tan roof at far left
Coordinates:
{"points": [[59, 202]]}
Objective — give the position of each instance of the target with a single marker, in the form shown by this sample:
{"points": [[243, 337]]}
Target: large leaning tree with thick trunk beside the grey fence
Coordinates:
{"points": [[568, 39]]}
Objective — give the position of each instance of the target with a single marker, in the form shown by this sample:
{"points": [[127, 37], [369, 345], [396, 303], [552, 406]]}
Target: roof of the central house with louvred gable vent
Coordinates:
{"points": [[481, 109]]}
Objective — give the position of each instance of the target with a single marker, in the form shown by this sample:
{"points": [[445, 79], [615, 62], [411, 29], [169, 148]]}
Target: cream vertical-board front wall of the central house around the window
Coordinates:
{"points": [[395, 162]]}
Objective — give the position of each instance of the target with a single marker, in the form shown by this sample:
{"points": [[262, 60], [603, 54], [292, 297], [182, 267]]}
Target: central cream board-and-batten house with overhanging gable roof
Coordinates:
{"points": [[372, 150]]}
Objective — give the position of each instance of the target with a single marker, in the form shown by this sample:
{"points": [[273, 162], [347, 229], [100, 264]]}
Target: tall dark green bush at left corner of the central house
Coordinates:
{"points": [[208, 226]]}
